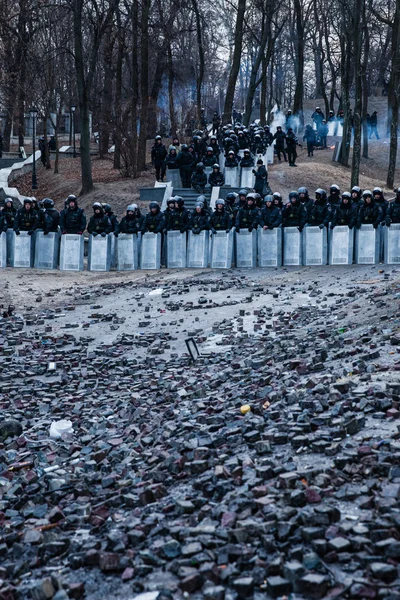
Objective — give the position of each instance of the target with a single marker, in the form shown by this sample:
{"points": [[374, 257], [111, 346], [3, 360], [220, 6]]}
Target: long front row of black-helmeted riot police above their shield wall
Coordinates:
{"points": [[243, 210]]}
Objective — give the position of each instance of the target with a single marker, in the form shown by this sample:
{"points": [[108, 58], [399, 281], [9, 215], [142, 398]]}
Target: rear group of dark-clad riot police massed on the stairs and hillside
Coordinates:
{"points": [[207, 145]]}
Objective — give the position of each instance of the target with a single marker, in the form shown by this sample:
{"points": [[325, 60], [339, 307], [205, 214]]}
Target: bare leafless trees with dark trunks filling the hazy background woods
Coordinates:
{"points": [[134, 69]]}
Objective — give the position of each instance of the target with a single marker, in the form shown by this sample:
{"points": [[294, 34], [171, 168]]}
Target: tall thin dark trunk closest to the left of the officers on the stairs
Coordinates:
{"points": [[144, 83]]}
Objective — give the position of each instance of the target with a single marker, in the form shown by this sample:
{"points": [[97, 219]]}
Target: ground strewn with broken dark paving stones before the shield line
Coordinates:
{"points": [[267, 468]]}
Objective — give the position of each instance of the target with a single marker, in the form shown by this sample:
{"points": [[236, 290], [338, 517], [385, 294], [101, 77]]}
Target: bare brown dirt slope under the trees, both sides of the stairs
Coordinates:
{"points": [[319, 171]]}
